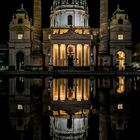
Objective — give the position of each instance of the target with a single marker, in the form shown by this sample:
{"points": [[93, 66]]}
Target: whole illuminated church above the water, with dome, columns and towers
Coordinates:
{"points": [[70, 41]]}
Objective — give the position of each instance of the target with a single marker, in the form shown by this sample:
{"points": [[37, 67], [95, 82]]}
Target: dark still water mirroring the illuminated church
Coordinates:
{"points": [[69, 108]]}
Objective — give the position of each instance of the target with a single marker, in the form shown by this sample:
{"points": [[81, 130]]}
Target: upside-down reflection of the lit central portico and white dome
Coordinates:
{"points": [[69, 108]]}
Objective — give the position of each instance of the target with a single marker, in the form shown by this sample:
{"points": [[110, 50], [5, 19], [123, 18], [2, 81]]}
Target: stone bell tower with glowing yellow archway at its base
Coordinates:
{"points": [[120, 39]]}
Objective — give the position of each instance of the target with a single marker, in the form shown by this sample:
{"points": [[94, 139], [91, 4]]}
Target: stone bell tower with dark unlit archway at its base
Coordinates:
{"points": [[19, 40]]}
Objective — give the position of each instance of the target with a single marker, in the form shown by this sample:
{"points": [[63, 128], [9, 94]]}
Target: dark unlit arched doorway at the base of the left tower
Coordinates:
{"points": [[19, 61]]}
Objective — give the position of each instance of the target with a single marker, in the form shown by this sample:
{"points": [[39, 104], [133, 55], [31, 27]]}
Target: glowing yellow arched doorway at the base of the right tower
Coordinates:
{"points": [[121, 60]]}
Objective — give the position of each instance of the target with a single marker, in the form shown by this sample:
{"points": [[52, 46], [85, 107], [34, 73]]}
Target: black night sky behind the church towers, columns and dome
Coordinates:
{"points": [[8, 7]]}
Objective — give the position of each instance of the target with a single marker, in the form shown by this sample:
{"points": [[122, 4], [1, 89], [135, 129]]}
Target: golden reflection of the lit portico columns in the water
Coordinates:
{"points": [[62, 92]]}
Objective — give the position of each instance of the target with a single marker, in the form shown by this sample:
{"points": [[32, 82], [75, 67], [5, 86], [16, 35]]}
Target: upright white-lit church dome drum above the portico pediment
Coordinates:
{"points": [[69, 13]]}
